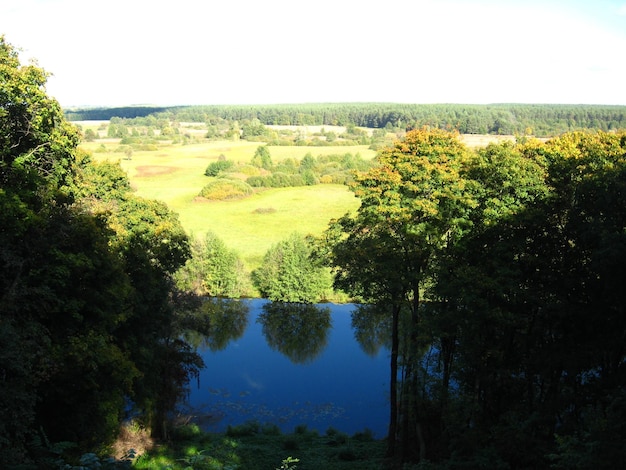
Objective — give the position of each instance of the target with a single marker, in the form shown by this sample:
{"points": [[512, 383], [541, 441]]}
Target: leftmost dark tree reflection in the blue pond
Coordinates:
{"points": [[227, 321]]}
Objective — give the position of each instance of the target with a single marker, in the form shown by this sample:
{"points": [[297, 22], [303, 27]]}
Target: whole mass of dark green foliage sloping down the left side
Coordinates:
{"points": [[86, 314]]}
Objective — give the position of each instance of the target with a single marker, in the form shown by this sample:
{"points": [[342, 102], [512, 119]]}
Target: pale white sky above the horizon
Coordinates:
{"points": [[186, 52]]}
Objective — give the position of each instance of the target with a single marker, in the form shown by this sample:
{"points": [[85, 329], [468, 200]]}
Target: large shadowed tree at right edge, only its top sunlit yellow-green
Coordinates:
{"points": [[538, 295]]}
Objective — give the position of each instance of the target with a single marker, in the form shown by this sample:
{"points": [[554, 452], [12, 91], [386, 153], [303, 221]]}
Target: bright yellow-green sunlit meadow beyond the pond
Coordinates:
{"points": [[174, 174]]}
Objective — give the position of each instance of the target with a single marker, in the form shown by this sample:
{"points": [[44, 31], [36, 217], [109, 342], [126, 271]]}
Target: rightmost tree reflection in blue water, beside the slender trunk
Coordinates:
{"points": [[372, 328]]}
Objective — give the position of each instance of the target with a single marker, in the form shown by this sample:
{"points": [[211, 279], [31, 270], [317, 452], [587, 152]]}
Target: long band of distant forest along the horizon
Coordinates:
{"points": [[541, 120]]}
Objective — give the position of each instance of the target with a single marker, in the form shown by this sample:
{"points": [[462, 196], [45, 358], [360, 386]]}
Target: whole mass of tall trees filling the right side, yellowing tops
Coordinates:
{"points": [[515, 354]]}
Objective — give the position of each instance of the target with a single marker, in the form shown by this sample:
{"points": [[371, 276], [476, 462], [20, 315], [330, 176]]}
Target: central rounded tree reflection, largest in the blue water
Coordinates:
{"points": [[299, 331]]}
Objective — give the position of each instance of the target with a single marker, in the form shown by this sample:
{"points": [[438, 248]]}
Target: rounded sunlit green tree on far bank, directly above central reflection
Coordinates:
{"points": [[290, 272]]}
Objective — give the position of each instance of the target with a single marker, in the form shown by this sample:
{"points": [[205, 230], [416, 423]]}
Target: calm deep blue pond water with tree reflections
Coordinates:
{"points": [[272, 364]]}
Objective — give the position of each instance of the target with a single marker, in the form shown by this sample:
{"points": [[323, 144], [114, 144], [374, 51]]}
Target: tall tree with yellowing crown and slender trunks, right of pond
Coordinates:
{"points": [[414, 205]]}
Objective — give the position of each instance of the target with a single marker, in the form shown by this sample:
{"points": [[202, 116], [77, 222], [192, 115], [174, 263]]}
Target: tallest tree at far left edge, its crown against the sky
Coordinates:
{"points": [[36, 186]]}
